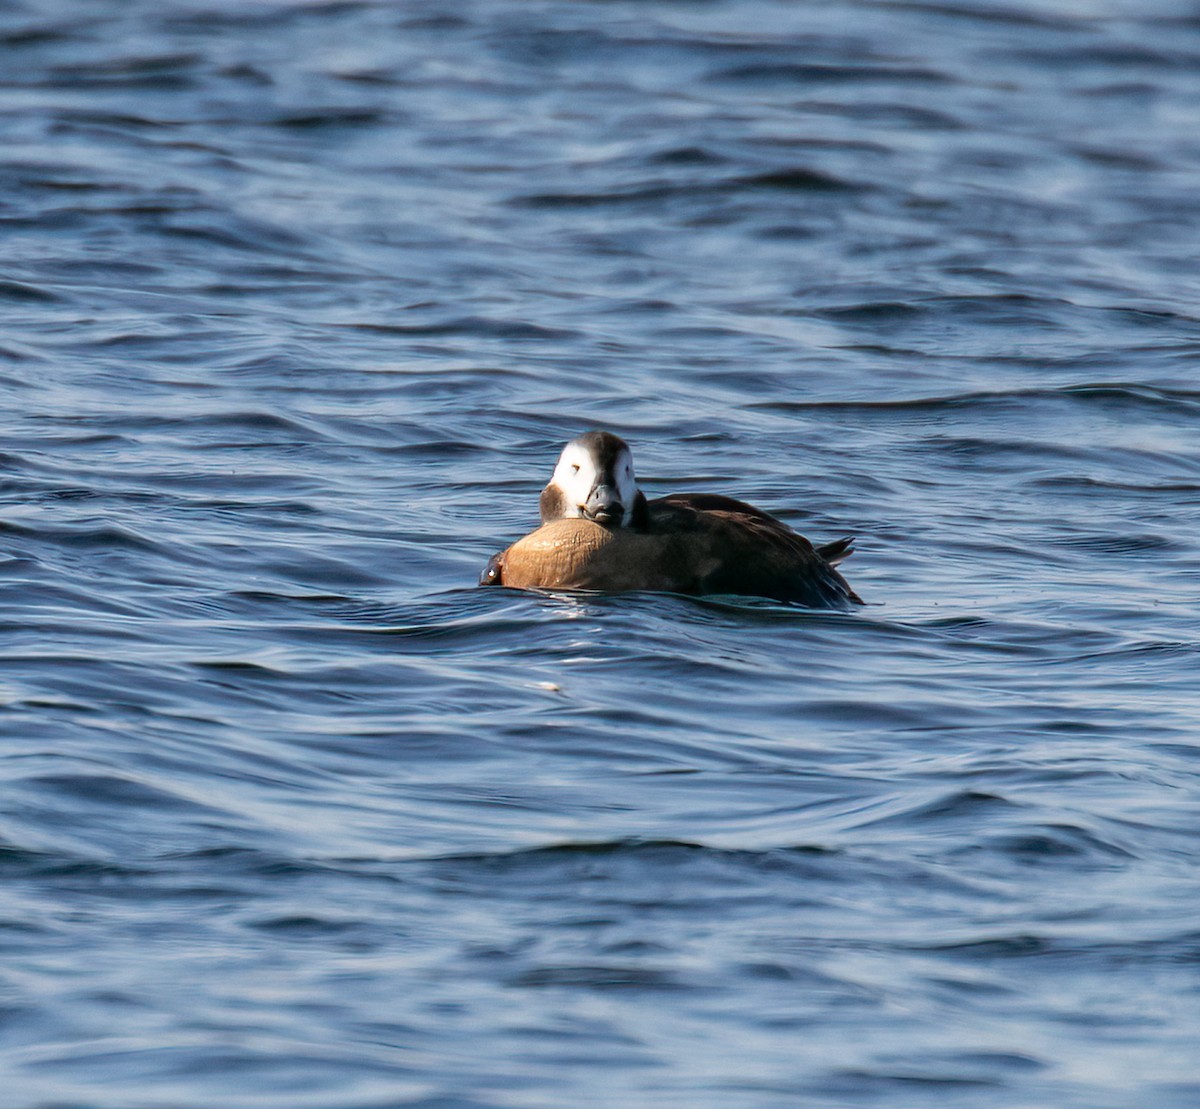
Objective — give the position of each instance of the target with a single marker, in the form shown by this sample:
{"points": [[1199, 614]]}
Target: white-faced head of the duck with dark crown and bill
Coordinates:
{"points": [[595, 481]]}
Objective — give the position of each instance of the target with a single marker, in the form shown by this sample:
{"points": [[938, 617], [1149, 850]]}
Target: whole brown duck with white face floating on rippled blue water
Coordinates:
{"points": [[601, 532]]}
